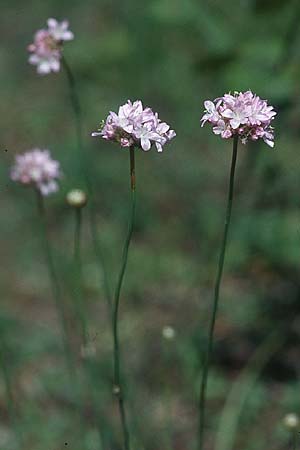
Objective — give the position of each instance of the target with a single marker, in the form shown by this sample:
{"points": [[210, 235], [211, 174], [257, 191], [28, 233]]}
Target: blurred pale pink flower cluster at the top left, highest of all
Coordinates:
{"points": [[46, 49]]}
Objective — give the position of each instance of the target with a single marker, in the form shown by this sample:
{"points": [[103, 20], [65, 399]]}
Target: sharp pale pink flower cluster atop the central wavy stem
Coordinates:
{"points": [[137, 126]]}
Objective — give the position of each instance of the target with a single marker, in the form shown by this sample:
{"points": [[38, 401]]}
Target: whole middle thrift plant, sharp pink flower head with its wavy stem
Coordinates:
{"points": [[134, 126]]}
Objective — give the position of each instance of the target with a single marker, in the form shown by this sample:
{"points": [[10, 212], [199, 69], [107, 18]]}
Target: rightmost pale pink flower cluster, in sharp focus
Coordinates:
{"points": [[243, 114]]}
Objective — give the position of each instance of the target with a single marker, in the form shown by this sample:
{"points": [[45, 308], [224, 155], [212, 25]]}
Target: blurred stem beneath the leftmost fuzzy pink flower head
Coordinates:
{"points": [[54, 280]]}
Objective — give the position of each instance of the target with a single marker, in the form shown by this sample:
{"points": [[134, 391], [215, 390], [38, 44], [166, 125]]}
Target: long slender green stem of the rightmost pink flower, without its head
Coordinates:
{"points": [[203, 387]]}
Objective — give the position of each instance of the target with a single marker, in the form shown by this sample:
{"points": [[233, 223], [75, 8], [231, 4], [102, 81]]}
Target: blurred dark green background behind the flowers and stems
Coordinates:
{"points": [[173, 55]]}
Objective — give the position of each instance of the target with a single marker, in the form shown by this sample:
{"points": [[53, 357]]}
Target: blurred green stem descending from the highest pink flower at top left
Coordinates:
{"points": [[82, 167]]}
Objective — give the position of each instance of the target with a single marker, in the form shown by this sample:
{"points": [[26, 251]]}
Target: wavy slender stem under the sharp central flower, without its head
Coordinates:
{"points": [[118, 388]]}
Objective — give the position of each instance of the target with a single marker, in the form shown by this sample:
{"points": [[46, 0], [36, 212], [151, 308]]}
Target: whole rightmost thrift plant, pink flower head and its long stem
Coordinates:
{"points": [[246, 117]]}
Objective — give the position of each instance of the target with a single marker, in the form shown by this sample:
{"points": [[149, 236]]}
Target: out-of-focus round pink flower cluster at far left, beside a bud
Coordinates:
{"points": [[36, 168]]}
